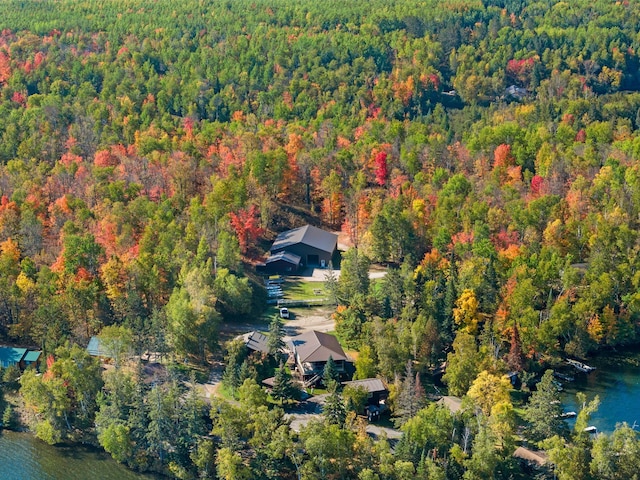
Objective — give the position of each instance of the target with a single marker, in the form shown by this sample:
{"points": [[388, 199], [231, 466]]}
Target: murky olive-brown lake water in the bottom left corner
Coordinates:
{"points": [[24, 457]]}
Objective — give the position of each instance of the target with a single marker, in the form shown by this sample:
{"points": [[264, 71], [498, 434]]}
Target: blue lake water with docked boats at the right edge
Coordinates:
{"points": [[616, 381]]}
